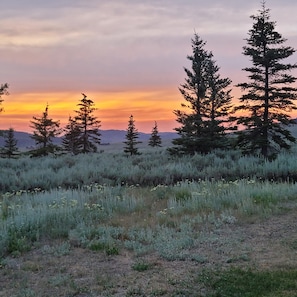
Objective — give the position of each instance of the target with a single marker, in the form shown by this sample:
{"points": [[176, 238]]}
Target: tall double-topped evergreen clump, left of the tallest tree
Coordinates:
{"points": [[207, 106]]}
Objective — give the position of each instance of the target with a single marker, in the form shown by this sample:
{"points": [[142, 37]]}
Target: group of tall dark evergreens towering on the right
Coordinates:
{"points": [[208, 114]]}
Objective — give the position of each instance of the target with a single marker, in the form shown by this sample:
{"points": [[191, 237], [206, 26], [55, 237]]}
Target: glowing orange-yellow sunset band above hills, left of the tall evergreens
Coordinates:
{"points": [[113, 109]]}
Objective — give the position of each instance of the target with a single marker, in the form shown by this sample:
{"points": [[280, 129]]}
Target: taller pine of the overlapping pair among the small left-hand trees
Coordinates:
{"points": [[89, 126]]}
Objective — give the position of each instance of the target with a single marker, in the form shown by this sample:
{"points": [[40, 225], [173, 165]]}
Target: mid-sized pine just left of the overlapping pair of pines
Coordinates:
{"points": [[46, 130]]}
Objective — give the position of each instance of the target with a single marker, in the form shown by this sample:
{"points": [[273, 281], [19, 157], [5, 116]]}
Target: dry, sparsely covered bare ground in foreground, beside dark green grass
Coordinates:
{"points": [[260, 243]]}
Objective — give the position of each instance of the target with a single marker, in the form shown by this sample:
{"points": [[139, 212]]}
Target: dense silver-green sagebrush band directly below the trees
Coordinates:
{"points": [[151, 168]]}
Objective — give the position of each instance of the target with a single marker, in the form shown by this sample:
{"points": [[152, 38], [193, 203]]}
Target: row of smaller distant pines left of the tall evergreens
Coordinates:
{"points": [[81, 134]]}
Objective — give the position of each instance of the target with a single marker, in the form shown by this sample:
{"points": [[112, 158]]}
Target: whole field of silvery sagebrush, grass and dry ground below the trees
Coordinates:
{"points": [[106, 224]]}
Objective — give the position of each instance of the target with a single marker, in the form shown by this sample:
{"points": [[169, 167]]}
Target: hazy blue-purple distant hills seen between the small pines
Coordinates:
{"points": [[107, 137]]}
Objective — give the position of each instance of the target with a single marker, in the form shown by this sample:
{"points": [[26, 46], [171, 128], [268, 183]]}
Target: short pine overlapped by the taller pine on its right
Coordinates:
{"points": [[70, 141]]}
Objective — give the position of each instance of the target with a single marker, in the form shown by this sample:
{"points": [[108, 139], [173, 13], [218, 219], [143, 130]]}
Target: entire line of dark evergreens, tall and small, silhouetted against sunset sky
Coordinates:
{"points": [[208, 120]]}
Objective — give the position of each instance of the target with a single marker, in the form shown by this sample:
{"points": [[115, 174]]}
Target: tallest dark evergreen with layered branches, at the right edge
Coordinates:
{"points": [[269, 97]]}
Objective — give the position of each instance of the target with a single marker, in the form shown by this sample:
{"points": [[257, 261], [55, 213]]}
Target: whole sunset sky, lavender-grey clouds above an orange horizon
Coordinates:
{"points": [[128, 56]]}
